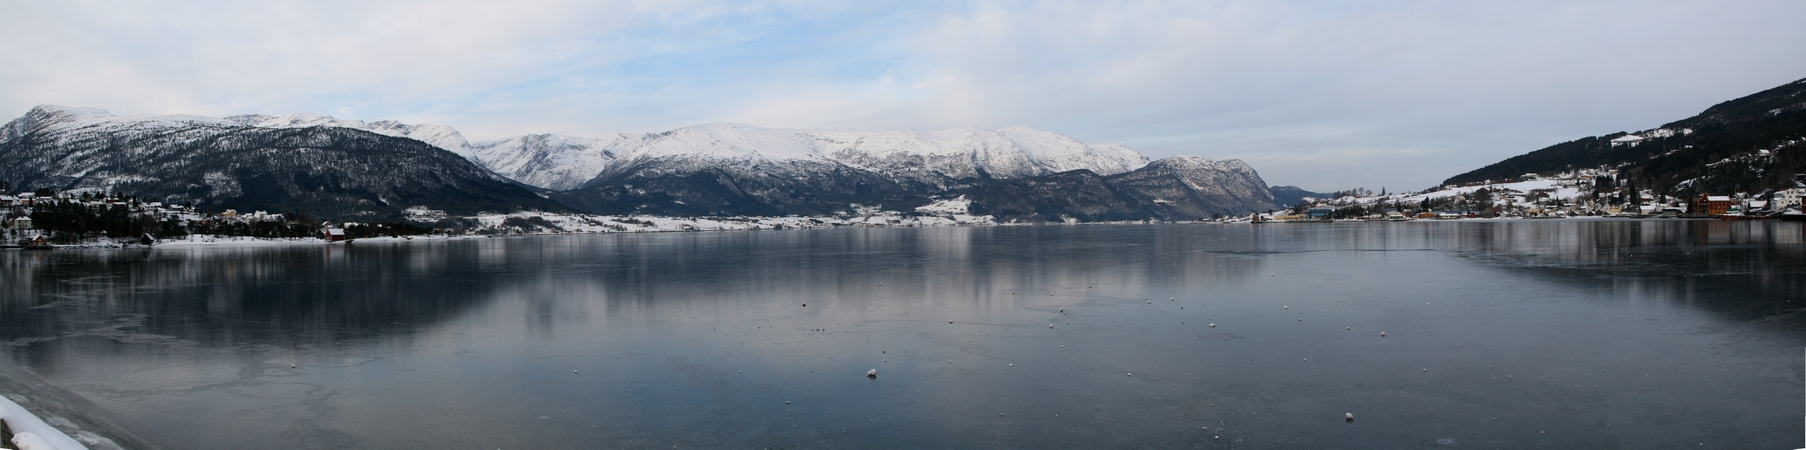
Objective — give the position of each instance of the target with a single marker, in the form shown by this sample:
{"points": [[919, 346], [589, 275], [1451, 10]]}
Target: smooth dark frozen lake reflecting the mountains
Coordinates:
{"points": [[1498, 335]]}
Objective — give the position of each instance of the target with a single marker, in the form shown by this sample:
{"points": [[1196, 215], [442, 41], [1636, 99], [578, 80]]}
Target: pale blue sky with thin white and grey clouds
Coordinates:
{"points": [[1316, 95]]}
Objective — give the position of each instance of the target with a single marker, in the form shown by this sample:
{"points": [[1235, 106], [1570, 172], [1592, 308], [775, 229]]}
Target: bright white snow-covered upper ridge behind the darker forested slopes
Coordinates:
{"points": [[940, 158]]}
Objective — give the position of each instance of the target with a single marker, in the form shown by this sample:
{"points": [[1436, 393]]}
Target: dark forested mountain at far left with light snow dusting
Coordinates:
{"points": [[239, 164]]}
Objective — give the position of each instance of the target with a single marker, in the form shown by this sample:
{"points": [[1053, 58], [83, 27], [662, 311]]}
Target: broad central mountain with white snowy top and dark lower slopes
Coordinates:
{"points": [[774, 173]]}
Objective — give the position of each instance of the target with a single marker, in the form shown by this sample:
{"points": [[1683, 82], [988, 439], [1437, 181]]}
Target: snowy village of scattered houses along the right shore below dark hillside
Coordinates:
{"points": [[1570, 194]]}
